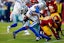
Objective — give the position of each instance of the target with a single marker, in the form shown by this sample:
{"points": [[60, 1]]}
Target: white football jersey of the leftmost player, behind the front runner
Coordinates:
{"points": [[19, 7]]}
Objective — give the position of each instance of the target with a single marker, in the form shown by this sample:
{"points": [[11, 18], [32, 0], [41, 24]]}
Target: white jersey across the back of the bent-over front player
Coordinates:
{"points": [[33, 8]]}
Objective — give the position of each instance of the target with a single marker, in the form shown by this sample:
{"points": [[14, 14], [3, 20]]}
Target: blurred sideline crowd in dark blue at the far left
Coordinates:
{"points": [[5, 10]]}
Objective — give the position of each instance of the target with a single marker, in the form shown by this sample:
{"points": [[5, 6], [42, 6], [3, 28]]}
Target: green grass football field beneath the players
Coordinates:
{"points": [[8, 38]]}
